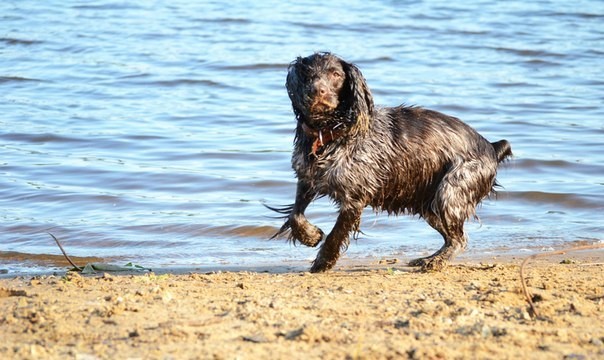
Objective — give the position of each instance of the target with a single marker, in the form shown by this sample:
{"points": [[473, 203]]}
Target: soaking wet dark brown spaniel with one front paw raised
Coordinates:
{"points": [[402, 160]]}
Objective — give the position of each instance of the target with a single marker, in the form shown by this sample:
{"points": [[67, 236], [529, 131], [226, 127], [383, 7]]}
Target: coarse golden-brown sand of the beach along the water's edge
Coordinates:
{"points": [[379, 310]]}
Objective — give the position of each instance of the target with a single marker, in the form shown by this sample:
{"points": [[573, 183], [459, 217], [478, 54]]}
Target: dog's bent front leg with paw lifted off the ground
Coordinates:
{"points": [[301, 229]]}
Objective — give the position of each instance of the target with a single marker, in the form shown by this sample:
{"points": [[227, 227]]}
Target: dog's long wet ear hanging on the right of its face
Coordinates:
{"points": [[357, 96]]}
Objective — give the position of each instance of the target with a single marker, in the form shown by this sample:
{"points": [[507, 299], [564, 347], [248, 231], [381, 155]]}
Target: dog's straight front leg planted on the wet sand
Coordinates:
{"points": [[347, 222]]}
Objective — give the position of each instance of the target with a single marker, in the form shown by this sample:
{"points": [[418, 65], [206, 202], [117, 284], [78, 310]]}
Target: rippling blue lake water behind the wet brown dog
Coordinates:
{"points": [[154, 132]]}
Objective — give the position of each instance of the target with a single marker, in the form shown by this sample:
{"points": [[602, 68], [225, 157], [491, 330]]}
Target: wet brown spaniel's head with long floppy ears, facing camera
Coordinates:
{"points": [[328, 93]]}
